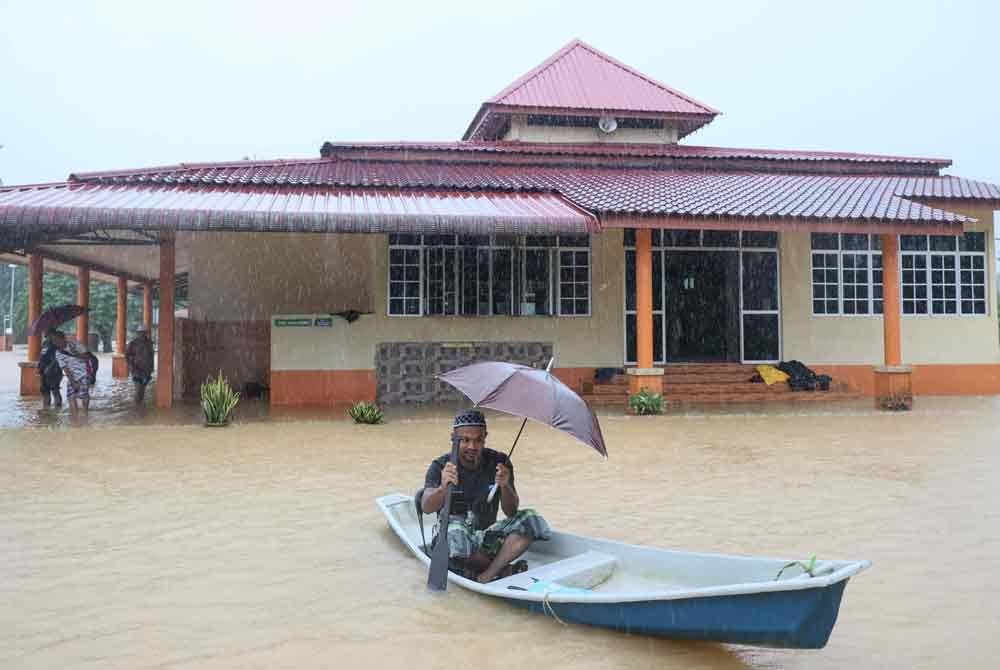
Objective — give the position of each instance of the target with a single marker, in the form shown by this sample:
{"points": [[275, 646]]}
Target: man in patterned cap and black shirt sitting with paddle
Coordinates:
{"points": [[485, 548]]}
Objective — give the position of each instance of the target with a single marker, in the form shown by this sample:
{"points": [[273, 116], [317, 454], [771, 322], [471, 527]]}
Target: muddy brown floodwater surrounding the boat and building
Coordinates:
{"points": [[142, 540]]}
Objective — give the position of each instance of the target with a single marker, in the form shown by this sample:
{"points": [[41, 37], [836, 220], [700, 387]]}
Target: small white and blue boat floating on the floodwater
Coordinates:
{"points": [[634, 589]]}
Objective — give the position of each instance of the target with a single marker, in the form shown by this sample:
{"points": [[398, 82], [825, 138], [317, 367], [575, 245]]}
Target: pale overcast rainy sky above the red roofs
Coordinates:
{"points": [[104, 85]]}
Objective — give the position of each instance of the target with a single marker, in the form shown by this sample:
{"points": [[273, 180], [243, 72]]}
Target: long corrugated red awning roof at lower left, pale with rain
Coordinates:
{"points": [[257, 208]]}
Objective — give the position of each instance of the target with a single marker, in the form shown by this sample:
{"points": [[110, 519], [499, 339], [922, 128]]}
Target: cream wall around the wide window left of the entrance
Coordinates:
{"points": [[255, 276]]}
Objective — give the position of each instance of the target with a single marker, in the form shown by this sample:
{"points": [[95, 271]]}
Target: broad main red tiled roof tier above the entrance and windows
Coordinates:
{"points": [[645, 191]]}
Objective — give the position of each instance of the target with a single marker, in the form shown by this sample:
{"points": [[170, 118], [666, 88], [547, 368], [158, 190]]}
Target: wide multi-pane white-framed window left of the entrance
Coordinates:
{"points": [[489, 275]]}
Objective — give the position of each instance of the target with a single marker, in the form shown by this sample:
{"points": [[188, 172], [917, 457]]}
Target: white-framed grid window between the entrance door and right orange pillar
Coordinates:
{"points": [[846, 273]]}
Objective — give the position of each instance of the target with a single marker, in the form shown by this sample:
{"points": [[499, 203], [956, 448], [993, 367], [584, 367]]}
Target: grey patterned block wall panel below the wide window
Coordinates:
{"points": [[406, 370]]}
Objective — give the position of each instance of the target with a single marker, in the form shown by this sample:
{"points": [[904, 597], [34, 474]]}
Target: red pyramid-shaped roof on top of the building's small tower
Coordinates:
{"points": [[579, 78]]}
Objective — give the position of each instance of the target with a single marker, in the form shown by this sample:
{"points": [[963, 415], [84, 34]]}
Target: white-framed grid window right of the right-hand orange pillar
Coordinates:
{"points": [[943, 275]]}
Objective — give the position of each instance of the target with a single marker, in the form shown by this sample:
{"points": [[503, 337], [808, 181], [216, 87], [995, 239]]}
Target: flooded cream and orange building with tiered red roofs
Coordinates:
{"points": [[572, 219]]}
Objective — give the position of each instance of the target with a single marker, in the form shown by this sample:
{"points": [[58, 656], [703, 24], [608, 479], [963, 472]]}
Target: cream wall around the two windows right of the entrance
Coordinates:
{"points": [[858, 339]]}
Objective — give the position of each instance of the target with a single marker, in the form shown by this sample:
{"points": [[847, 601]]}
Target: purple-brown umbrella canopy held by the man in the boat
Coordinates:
{"points": [[529, 393]]}
